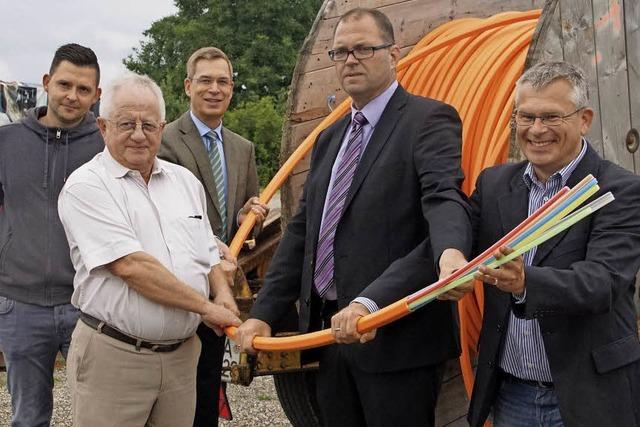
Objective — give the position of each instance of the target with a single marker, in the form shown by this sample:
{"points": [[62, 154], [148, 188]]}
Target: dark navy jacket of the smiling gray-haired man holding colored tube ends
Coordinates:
{"points": [[580, 288]]}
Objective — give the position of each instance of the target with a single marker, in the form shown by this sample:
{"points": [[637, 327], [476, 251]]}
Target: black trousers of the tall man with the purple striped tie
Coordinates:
{"points": [[351, 397]]}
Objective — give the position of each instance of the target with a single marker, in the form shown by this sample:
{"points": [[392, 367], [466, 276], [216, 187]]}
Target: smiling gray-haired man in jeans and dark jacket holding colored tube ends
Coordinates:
{"points": [[559, 342]]}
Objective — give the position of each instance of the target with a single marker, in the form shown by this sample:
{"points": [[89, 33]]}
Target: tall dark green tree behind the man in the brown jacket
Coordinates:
{"points": [[262, 39]]}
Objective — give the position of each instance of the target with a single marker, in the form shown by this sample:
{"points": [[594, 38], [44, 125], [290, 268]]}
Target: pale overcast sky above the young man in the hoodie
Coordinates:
{"points": [[32, 30]]}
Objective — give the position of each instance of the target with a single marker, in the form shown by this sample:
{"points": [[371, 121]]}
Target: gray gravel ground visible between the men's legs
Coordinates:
{"points": [[254, 406]]}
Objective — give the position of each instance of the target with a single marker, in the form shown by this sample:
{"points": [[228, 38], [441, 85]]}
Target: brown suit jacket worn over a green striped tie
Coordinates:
{"points": [[182, 145]]}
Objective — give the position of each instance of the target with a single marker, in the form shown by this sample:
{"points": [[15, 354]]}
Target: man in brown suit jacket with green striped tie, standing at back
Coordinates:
{"points": [[224, 162]]}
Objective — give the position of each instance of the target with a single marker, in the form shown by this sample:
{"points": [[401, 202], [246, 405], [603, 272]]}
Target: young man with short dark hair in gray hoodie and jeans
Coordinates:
{"points": [[37, 154]]}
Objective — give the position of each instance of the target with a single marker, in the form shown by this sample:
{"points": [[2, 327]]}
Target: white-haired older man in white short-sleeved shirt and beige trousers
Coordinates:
{"points": [[146, 263]]}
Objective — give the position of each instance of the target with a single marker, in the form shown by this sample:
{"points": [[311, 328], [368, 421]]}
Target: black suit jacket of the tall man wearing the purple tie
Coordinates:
{"points": [[405, 190]]}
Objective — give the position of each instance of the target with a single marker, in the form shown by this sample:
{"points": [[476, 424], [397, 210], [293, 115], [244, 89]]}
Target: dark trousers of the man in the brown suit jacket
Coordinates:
{"points": [[208, 377]]}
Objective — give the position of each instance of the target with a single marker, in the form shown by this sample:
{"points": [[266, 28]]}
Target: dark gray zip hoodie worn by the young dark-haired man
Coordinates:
{"points": [[35, 161]]}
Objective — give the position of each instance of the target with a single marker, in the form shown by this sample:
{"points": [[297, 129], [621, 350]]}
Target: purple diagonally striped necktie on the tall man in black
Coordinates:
{"points": [[323, 274]]}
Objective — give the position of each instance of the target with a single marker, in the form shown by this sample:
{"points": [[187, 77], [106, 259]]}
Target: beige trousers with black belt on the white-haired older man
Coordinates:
{"points": [[112, 384]]}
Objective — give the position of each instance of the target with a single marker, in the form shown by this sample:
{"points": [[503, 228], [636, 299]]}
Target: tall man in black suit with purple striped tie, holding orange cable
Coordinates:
{"points": [[381, 210]]}
